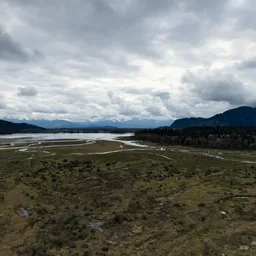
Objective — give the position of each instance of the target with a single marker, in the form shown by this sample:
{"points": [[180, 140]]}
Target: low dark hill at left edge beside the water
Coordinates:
{"points": [[9, 128]]}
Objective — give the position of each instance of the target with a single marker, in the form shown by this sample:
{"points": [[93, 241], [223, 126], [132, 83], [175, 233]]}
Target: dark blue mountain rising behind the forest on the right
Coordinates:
{"points": [[242, 116]]}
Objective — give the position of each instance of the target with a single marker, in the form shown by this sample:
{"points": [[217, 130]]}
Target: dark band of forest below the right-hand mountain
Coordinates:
{"points": [[208, 137]]}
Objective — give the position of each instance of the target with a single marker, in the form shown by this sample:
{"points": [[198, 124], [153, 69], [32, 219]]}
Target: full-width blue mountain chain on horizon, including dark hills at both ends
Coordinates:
{"points": [[242, 116]]}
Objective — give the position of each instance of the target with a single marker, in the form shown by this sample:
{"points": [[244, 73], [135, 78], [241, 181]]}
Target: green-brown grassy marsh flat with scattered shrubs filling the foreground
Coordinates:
{"points": [[64, 201]]}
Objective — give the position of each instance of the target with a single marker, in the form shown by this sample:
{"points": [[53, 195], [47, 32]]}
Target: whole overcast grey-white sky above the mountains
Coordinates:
{"points": [[104, 59]]}
